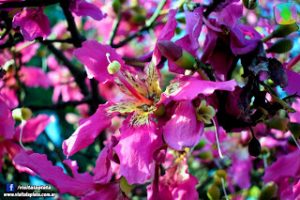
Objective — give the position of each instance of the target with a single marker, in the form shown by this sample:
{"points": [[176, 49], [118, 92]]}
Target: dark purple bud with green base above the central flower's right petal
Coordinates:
{"points": [[176, 54]]}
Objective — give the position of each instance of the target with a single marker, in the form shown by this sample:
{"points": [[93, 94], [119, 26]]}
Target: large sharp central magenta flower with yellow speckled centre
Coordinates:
{"points": [[141, 102]]}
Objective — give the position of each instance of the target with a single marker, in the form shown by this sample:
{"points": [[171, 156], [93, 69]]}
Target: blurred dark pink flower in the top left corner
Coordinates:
{"points": [[33, 23]]}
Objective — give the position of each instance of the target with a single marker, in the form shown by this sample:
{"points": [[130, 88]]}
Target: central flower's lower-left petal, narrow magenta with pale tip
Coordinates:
{"points": [[87, 131]]}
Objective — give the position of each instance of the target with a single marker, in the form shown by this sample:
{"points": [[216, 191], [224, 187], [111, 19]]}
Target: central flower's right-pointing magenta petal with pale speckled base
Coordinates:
{"points": [[187, 88]]}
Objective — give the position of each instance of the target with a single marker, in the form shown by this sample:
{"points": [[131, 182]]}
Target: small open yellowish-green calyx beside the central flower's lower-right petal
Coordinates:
{"points": [[205, 112]]}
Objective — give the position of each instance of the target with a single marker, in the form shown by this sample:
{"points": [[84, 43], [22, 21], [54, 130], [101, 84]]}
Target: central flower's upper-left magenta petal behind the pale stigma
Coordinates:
{"points": [[93, 55]]}
